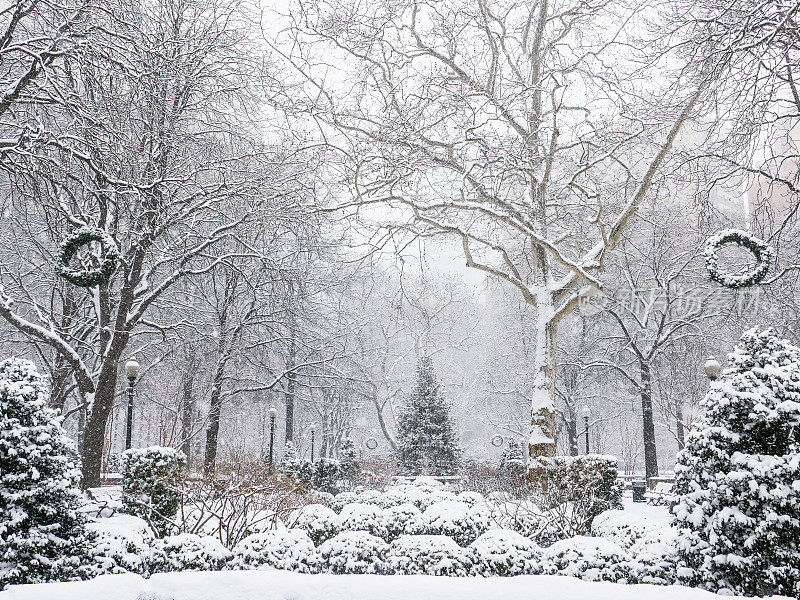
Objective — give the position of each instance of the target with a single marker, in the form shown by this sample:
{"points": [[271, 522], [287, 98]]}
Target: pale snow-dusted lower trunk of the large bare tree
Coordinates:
{"points": [[541, 442]]}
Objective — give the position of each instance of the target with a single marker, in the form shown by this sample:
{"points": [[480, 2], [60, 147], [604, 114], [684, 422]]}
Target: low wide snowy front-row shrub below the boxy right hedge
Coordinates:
{"points": [[593, 559]]}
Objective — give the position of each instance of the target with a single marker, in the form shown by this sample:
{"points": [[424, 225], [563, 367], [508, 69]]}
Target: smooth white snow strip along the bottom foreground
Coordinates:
{"points": [[283, 585]]}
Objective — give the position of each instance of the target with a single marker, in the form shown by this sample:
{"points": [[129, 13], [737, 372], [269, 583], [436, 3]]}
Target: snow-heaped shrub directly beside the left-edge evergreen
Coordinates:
{"points": [[121, 544]]}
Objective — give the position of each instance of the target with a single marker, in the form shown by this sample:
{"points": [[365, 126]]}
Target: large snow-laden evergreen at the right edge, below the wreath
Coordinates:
{"points": [[738, 508]]}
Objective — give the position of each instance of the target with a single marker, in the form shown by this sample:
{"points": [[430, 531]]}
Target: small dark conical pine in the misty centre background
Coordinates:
{"points": [[427, 439]]}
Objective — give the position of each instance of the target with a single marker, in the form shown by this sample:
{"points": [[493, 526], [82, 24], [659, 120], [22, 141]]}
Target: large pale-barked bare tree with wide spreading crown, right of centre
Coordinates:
{"points": [[475, 119]]}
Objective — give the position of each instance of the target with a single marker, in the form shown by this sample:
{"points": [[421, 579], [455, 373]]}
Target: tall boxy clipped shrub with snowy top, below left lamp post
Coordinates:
{"points": [[150, 485]]}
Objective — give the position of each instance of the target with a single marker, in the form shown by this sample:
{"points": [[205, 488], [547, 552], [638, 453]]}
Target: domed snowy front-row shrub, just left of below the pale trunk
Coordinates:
{"points": [[504, 553]]}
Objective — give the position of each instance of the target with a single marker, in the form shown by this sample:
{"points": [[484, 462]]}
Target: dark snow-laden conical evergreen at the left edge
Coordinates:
{"points": [[42, 533]]}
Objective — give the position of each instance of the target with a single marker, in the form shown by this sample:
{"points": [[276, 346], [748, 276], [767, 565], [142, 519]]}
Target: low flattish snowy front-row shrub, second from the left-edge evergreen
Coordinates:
{"points": [[189, 552]]}
